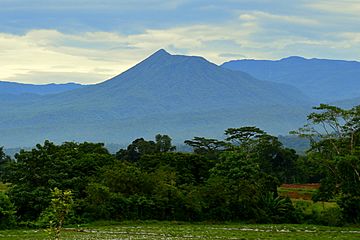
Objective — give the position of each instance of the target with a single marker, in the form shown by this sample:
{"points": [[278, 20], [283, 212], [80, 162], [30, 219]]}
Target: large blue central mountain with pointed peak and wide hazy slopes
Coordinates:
{"points": [[182, 96]]}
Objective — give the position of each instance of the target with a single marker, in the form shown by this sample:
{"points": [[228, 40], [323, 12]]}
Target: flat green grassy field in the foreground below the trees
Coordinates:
{"points": [[166, 230]]}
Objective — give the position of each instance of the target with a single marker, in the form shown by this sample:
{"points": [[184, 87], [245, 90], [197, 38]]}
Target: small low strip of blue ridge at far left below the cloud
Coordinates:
{"points": [[21, 88]]}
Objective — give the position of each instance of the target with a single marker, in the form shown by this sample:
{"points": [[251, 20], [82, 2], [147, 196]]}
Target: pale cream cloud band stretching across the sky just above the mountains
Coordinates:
{"points": [[41, 56]]}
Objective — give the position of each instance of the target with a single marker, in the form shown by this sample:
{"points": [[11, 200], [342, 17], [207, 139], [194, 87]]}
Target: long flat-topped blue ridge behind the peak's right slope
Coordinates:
{"points": [[323, 80]]}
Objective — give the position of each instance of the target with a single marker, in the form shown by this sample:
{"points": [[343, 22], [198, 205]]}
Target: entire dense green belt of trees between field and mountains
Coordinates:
{"points": [[233, 179]]}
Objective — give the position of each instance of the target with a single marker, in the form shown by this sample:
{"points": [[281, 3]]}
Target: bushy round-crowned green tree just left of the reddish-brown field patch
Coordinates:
{"points": [[239, 185]]}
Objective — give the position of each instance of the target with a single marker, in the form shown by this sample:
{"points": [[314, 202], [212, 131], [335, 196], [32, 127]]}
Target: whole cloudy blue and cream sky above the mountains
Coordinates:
{"points": [[89, 41]]}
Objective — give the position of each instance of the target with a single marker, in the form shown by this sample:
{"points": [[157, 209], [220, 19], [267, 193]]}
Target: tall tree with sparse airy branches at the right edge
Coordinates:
{"points": [[335, 142]]}
